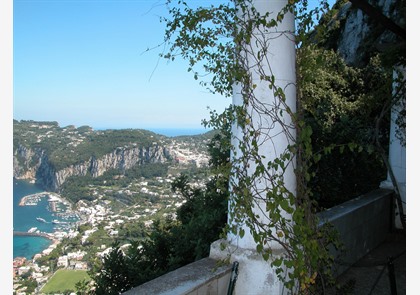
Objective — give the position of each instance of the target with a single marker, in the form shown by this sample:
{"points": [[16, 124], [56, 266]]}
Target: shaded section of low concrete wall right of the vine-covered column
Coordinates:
{"points": [[363, 224]]}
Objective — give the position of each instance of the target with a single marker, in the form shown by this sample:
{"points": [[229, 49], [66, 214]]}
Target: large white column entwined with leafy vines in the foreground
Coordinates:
{"points": [[256, 275]]}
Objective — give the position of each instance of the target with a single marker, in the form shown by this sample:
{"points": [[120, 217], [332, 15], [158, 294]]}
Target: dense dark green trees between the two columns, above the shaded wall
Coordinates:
{"points": [[340, 105]]}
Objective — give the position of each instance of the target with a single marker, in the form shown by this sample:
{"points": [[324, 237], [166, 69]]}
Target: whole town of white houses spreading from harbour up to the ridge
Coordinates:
{"points": [[85, 230]]}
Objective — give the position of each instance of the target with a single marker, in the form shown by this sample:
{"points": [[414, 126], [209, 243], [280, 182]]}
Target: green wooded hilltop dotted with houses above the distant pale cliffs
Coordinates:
{"points": [[70, 145]]}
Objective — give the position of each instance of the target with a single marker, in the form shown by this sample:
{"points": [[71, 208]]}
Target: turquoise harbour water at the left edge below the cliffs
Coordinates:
{"points": [[24, 218]]}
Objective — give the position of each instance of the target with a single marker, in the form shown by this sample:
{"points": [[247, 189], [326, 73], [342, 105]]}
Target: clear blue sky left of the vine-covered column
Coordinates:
{"points": [[84, 63]]}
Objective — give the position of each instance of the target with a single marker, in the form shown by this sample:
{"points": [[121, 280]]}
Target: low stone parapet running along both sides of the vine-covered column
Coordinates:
{"points": [[363, 224]]}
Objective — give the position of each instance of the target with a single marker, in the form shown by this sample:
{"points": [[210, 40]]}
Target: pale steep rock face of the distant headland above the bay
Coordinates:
{"points": [[34, 164]]}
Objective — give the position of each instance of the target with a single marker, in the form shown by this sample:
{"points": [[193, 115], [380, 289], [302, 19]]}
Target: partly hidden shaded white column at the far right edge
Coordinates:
{"points": [[397, 156]]}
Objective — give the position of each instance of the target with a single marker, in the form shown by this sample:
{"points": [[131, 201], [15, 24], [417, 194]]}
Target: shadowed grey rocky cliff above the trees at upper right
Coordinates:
{"points": [[357, 36]]}
